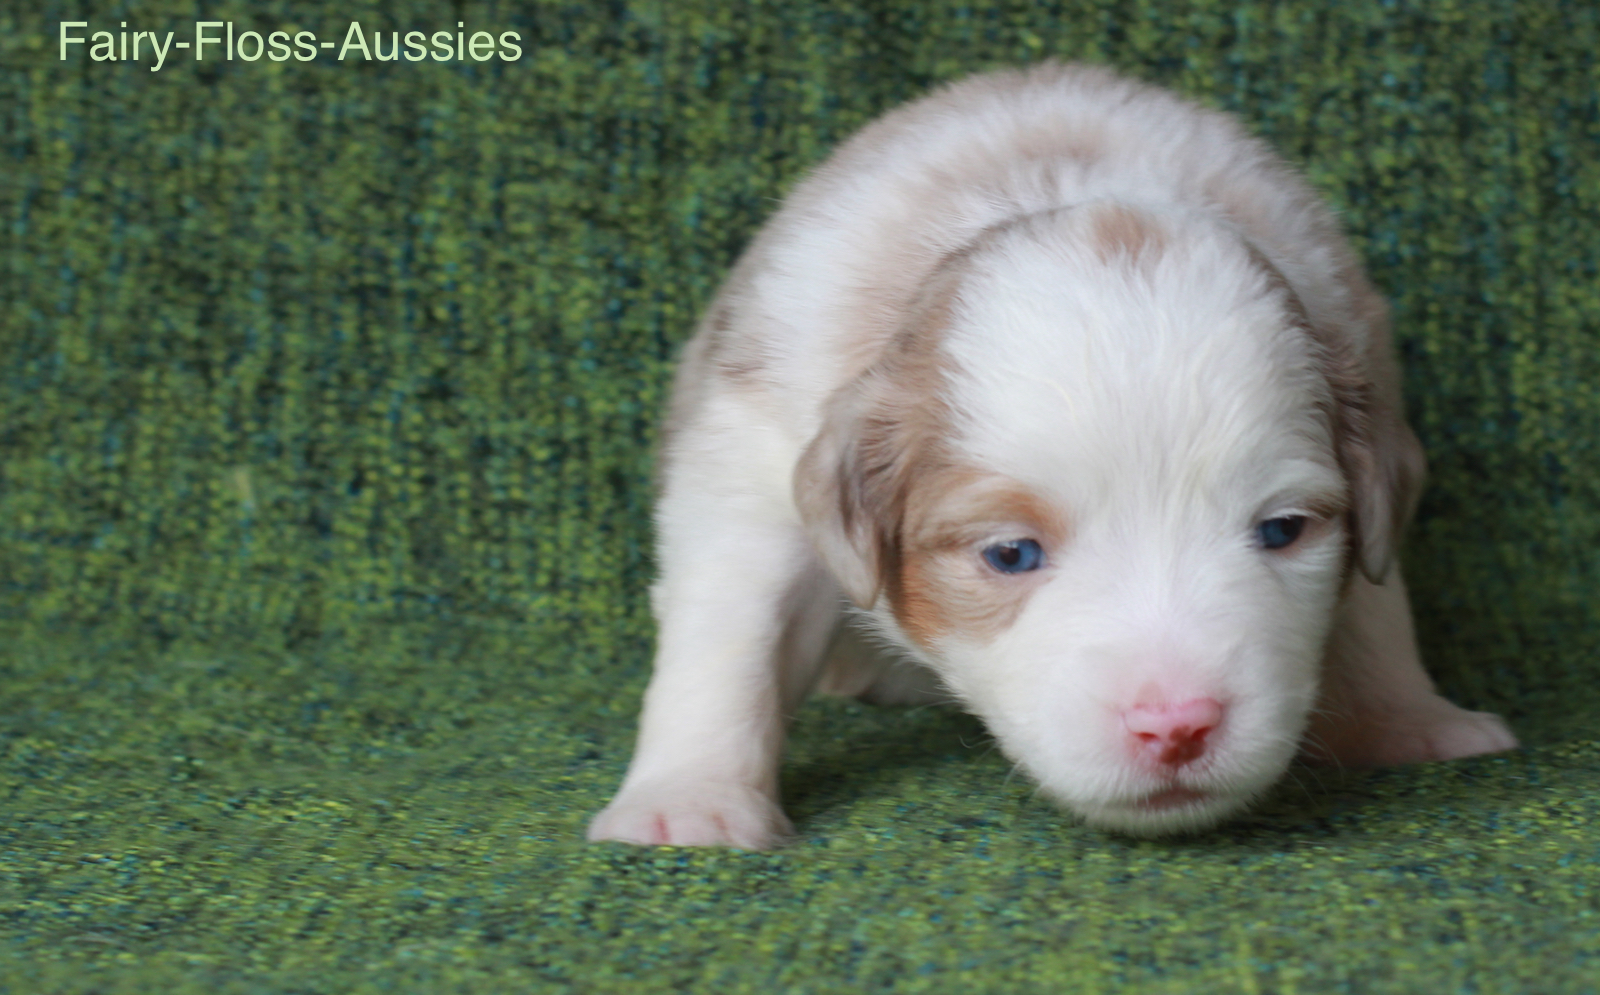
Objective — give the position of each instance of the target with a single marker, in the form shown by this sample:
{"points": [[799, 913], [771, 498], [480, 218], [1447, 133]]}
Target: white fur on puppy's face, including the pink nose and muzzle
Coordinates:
{"points": [[1158, 671]]}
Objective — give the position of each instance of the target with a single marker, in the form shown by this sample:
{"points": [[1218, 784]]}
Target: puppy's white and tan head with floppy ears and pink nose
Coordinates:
{"points": [[1108, 484]]}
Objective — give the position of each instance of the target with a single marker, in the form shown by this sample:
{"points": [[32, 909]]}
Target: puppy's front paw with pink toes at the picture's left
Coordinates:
{"points": [[694, 817]]}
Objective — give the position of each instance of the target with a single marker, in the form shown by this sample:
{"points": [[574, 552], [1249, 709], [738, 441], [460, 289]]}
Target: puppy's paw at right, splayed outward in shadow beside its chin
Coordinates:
{"points": [[1438, 733]]}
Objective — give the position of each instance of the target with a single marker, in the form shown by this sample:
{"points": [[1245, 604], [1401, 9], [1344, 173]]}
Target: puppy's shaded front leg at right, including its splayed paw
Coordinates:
{"points": [[1378, 706]]}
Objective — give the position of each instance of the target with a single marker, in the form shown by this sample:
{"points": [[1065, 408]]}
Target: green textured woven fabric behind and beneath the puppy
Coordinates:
{"points": [[327, 401]]}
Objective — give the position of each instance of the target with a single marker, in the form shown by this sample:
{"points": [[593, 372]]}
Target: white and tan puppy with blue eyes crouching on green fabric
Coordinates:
{"points": [[1078, 394]]}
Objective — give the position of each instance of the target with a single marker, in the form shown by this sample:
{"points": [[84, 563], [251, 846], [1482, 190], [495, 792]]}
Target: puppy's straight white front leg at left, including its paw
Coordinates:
{"points": [[743, 615]]}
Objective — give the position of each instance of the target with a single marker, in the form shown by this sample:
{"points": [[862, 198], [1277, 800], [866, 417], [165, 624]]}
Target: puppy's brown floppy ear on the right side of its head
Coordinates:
{"points": [[1382, 457]]}
